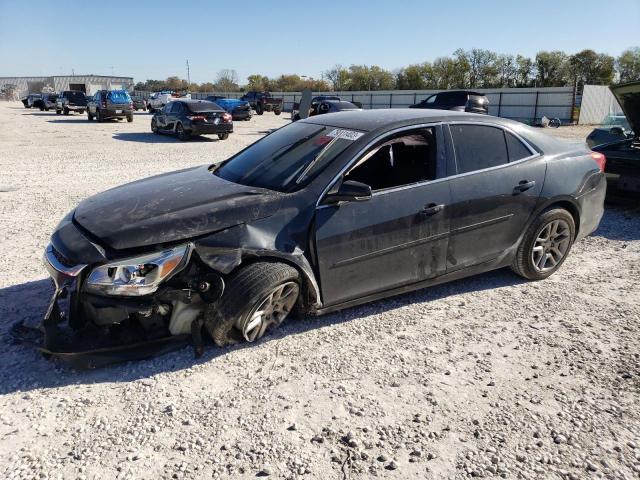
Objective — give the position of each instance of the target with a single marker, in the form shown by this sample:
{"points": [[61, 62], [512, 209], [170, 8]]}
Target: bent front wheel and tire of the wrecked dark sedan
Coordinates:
{"points": [[257, 297]]}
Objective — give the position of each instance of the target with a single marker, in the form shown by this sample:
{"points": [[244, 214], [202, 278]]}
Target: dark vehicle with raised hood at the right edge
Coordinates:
{"points": [[623, 155]]}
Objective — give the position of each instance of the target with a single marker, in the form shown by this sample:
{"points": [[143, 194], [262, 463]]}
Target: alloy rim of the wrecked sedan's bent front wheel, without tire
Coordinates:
{"points": [[271, 310]]}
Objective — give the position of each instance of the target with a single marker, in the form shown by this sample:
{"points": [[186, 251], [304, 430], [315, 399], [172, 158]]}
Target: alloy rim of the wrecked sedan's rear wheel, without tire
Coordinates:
{"points": [[551, 245]]}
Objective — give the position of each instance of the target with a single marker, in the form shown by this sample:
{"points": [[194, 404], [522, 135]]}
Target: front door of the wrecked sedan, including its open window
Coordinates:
{"points": [[397, 237]]}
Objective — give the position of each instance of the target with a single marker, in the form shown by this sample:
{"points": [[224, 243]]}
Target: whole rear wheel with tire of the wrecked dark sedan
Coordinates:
{"points": [[545, 245]]}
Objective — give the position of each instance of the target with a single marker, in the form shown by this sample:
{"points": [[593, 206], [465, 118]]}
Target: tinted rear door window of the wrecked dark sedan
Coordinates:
{"points": [[478, 147]]}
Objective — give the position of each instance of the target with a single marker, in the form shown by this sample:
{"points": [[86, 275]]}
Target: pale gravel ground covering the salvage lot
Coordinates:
{"points": [[488, 376]]}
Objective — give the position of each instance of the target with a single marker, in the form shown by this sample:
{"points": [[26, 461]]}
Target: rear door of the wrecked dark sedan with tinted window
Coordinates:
{"points": [[495, 189]]}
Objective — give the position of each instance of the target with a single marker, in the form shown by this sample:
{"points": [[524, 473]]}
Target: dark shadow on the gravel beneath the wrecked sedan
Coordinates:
{"points": [[25, 369]]}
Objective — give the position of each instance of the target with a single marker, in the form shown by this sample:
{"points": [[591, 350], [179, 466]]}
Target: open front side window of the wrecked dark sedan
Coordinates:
{"points": [[400, 160]]}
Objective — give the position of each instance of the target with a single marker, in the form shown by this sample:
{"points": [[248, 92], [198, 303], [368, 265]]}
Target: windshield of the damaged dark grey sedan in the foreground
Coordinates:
{"points": [[288, 158]]}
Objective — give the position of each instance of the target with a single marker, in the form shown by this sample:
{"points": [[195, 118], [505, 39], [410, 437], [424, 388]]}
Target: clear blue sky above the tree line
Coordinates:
{"points": [[45, 37]]}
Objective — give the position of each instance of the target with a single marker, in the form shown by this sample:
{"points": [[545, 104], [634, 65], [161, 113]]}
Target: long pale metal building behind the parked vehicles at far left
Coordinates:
{"points": [[88, 84]]}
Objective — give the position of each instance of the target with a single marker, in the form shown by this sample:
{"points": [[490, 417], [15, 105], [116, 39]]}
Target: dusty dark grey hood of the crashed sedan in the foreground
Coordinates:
{"points": [[171, 207]]}
